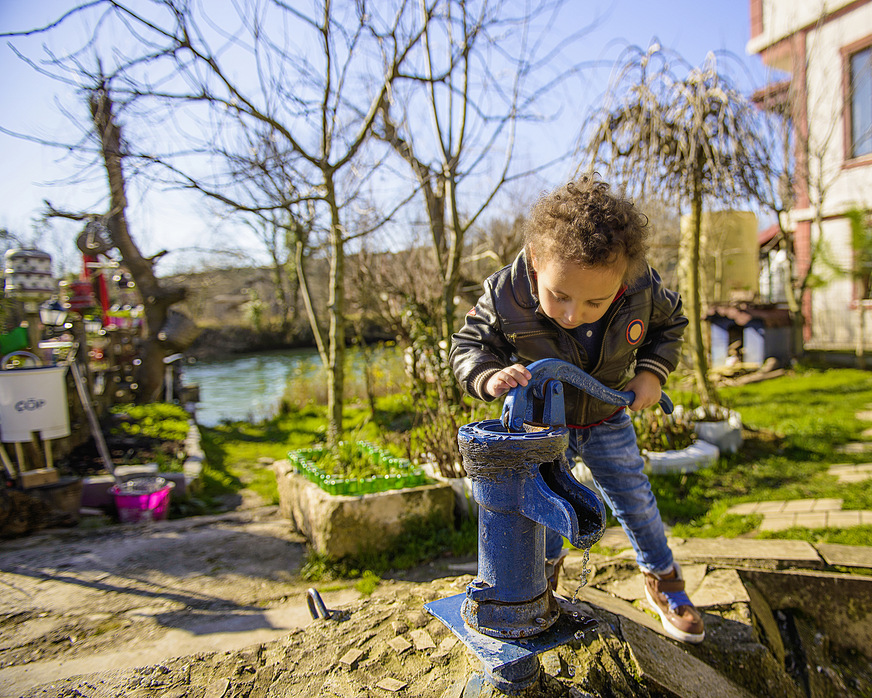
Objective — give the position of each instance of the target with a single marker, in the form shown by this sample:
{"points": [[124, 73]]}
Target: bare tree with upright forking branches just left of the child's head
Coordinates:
{"points": [[486, 70]]}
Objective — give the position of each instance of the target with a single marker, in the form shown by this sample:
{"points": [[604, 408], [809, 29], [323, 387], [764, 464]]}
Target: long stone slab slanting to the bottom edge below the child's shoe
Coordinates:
{"points": [[664, 665]]}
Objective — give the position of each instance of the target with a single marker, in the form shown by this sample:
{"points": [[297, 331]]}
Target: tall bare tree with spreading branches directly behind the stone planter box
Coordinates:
{"points": [[312, 81]]}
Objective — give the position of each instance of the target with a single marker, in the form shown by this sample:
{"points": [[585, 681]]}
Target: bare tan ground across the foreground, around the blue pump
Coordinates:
{"points": [[215, 607]]}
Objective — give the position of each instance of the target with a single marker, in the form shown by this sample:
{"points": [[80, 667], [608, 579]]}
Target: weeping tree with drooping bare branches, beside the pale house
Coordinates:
{"points": [[680, 133]]}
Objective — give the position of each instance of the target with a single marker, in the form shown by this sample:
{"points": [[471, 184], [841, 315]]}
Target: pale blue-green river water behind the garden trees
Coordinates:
{"points": [[248, 387]]}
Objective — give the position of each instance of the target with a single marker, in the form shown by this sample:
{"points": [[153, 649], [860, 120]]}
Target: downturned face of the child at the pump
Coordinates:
{"points": [[573, 295]]}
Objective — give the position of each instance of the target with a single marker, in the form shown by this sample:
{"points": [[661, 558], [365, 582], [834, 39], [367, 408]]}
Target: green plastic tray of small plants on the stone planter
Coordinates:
{"points": [[355, 468]]}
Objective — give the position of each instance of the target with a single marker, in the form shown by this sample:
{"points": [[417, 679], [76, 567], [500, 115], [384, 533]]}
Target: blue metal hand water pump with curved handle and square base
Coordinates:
{"points": [[522, 483]]}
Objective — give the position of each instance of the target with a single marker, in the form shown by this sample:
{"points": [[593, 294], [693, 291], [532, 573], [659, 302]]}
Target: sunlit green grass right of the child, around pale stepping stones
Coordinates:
{"points": [[794, 428]]}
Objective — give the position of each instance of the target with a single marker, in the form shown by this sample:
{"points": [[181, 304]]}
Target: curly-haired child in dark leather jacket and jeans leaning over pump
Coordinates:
{"points": [[582, 291]]}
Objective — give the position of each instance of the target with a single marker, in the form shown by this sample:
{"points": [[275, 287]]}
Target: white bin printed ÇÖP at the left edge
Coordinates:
{"points": [[33, 399]]}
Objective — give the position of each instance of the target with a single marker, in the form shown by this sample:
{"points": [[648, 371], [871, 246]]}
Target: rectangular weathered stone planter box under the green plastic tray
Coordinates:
{"points": [[344, 525]]}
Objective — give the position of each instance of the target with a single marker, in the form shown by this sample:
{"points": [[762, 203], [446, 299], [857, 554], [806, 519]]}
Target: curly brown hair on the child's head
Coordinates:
{"points": [[584, 223]]}
